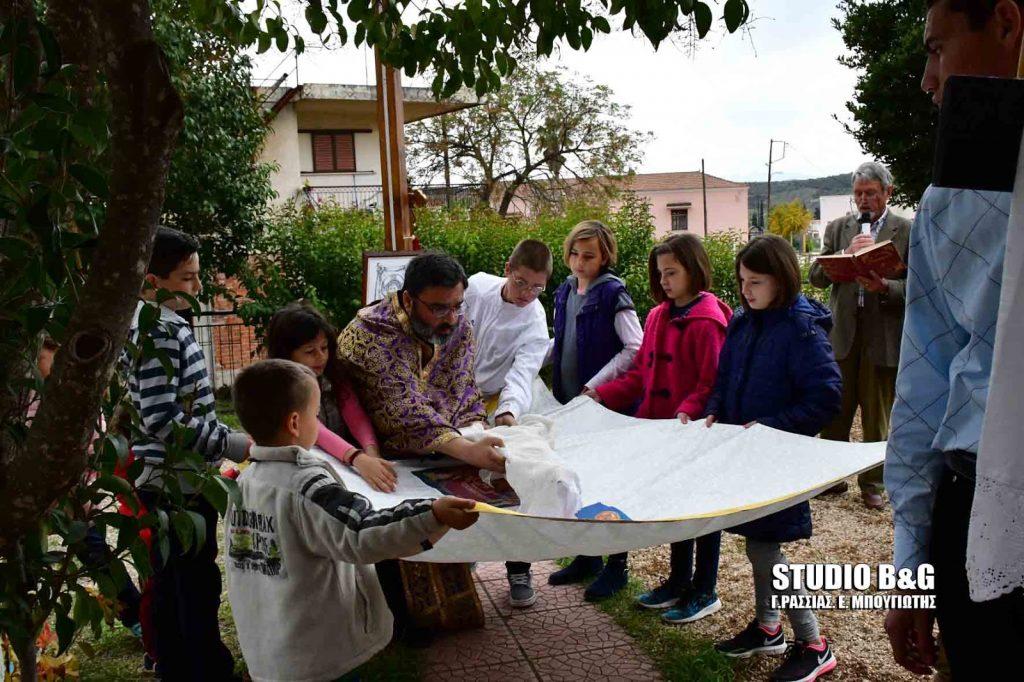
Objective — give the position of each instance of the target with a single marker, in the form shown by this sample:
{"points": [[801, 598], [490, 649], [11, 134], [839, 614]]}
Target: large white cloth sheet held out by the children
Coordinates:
{"points": [[675, 482]]}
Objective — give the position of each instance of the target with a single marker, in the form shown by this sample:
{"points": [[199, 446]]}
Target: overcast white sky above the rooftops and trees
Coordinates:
{"points": [[723, 104]]}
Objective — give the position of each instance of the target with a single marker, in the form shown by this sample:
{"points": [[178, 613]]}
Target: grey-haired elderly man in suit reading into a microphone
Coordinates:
{"points": [[869, 320]]}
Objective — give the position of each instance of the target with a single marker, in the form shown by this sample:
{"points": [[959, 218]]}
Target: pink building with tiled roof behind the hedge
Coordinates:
{"points": [[677, 202]]}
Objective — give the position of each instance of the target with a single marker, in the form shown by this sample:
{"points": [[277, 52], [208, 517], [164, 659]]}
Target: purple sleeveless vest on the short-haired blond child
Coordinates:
{"points": [[598, 342]]}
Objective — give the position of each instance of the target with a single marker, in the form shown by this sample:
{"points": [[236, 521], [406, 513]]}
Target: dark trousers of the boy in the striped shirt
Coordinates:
{"points": [[186, 605]]}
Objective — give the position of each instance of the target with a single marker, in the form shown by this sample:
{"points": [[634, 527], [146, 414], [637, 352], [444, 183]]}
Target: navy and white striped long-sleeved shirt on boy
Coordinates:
{"points": [[186, 398]]}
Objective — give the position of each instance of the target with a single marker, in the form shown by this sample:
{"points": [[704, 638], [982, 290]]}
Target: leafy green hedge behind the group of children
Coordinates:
{"points": [[319, 254]]}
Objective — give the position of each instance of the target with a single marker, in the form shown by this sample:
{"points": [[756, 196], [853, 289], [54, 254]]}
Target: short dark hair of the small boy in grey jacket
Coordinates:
{"points": [[267, 393]]}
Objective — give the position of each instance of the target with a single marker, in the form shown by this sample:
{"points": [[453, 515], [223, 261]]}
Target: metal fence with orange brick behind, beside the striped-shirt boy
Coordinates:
{"points": [[230, 346]]}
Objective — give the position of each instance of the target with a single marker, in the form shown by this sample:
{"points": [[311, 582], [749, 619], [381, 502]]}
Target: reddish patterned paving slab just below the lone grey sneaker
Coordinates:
{"points": [[566, 631]]}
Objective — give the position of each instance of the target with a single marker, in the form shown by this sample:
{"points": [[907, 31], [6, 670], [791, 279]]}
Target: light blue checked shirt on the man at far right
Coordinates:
{"points": [[953, 300]]}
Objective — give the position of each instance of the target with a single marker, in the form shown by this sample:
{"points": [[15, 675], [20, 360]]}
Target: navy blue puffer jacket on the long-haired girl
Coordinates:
{"points": [[778, 368]]}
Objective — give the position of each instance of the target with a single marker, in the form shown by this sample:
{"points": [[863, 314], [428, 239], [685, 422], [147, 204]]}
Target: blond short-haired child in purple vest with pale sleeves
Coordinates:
{"points": [[598, 334]]}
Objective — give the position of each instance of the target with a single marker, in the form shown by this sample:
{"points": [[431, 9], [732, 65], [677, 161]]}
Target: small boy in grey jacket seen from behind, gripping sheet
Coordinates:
{"points": [[301, 546]]}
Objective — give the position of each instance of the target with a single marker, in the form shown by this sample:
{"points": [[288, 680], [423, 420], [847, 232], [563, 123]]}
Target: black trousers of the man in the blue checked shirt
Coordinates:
{"points": [[977, 636]]}
